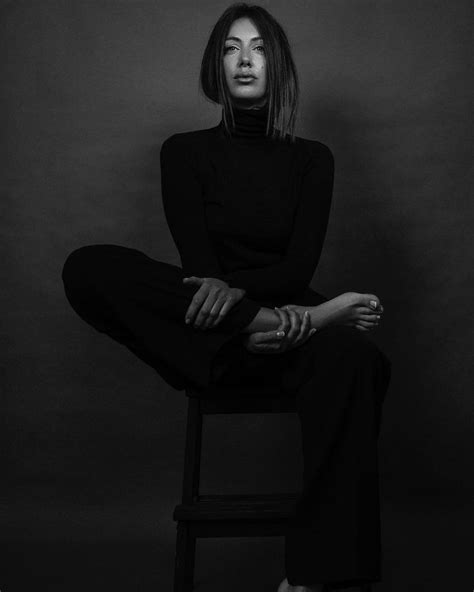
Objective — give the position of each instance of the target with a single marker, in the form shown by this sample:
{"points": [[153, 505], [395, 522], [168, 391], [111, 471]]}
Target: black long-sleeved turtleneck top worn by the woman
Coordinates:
{"points": [[248, 209]]}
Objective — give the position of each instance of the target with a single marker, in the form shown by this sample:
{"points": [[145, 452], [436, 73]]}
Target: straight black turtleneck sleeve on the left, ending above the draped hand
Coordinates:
{"points": [[184, 210]]}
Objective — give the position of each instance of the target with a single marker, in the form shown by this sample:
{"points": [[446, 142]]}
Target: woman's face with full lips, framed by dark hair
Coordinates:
{"points": [[244, 54]]}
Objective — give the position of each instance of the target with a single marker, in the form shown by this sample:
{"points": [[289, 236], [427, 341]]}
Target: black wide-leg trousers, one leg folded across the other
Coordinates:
{"points": [[339, 378]]}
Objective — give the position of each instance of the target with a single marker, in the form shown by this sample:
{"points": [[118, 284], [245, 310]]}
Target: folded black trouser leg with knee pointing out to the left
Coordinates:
{"points": [[141, 302]]}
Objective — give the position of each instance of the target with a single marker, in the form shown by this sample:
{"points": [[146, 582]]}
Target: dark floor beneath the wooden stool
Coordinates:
{"points": [[130, 547]]}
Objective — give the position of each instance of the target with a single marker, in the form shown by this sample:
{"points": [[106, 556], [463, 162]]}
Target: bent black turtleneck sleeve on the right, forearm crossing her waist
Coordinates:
{"points": [[293, 273]]}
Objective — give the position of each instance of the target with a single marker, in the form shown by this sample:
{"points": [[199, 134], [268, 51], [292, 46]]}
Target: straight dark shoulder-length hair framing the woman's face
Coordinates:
{"points": [[282, 77]]}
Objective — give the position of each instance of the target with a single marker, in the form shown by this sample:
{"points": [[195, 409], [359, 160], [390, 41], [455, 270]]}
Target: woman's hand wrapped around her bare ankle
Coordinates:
{"points": [[292, 332]]}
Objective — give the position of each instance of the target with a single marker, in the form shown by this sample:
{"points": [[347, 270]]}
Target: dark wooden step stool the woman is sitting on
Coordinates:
{"points": [[224, 515]]}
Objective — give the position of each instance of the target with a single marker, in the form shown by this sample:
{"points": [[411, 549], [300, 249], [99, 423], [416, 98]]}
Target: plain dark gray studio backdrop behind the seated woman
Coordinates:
{"points": [[90, 90]]}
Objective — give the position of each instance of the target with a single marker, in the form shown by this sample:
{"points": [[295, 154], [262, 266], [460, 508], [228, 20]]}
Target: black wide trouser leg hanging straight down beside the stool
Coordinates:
{"points": [[334, 536]]}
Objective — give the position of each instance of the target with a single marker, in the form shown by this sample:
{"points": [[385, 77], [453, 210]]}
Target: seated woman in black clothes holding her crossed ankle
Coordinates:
{"points": [[247, 203]]}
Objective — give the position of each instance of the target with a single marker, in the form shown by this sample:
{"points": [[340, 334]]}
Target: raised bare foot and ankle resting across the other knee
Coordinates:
{"points": [[351, 308]]}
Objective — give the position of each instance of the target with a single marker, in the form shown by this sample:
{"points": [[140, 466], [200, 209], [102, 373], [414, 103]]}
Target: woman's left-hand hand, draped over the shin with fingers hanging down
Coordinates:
{"points": [[211, 302]]}
